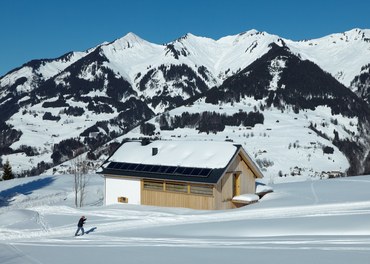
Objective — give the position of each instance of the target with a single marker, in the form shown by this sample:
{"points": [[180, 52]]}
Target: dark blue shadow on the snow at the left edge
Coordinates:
{"points": [[7, 195]]}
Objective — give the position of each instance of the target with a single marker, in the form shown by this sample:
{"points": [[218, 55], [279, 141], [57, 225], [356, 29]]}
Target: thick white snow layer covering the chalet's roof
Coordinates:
{"points": [[199, 154]]}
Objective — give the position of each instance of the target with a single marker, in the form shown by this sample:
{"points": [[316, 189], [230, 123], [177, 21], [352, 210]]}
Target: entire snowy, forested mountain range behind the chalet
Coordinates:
{"points": [[300, 108]]}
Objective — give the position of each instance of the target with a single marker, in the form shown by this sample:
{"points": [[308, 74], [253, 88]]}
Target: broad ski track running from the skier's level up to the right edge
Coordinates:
{"points": [[118, 219]]}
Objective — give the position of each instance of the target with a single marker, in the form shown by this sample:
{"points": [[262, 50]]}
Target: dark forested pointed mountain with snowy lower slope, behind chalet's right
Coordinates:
{"points": [[293, 117]]}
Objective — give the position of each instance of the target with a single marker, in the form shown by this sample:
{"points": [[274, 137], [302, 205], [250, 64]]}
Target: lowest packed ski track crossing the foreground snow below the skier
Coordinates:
{"points": [[306, 243]]}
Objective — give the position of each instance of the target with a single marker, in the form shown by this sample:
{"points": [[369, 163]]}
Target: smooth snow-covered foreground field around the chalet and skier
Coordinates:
{"points": [[322, 221]]}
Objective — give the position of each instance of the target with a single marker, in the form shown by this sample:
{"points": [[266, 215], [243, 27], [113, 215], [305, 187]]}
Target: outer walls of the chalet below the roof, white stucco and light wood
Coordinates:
{"points": [[237, 178]]}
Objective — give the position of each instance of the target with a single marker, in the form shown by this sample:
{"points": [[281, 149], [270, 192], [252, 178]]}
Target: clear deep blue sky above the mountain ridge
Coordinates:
{"points": [[49, 28]]}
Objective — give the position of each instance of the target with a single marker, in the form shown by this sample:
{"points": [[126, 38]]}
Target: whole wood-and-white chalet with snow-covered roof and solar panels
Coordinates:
{"points": [[192, 174]]}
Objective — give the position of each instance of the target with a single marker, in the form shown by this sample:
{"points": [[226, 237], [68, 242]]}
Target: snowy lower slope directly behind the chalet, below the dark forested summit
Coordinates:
{"points": [[283, 146]]}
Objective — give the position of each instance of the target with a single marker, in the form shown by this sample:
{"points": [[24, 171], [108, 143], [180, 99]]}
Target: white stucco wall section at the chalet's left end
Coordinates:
{"points": [[118, 187]]}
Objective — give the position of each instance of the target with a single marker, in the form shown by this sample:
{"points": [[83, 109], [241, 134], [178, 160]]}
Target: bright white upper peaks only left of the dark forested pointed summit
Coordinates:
{"points": [[131, 55]]}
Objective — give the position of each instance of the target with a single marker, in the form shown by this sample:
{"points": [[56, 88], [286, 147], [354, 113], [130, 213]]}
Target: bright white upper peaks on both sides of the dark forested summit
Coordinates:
{"points": [[341, 54]]}
